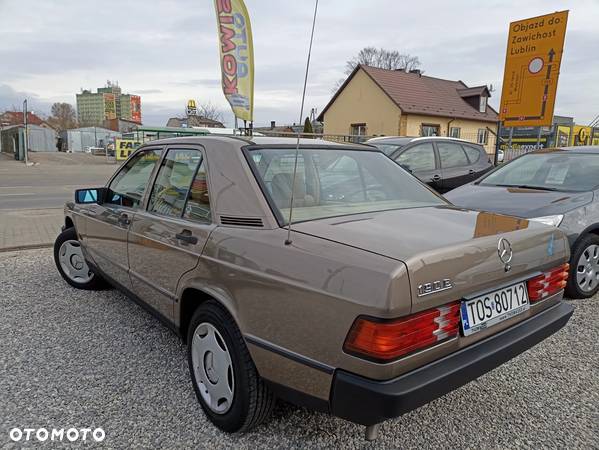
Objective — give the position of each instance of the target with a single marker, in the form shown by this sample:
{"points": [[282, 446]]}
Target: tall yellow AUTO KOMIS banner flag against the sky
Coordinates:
{"points": [[236, 56]]}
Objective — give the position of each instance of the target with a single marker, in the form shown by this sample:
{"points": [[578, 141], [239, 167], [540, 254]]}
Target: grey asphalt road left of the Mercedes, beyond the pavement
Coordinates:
{"points": [[50, 182]]}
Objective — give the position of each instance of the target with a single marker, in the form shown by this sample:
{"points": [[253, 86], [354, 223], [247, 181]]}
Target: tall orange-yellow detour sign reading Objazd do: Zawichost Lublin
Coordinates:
{"points": [[534, 54]]}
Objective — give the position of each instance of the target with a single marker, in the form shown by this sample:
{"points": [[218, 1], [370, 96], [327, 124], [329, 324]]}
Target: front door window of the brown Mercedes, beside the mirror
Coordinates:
{"points": [[128, 186]]}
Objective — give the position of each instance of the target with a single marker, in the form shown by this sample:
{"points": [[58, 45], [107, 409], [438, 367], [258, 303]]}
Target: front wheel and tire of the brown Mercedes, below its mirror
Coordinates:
{"points": [[71, 263]]}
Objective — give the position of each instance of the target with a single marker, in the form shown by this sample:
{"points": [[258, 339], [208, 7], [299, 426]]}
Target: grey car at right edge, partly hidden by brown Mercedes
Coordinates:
{"points": [[559, 187]]}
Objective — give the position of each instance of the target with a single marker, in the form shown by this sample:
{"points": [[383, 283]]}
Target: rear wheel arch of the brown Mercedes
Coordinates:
{"points": [[191, 298]]}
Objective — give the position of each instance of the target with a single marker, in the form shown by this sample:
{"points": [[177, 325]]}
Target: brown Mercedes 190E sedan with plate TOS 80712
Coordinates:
{"points": [[373, 298]]}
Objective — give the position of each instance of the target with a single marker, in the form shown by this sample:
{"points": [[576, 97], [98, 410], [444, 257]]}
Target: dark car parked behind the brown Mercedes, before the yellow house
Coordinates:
{"points": [[441, 162]]}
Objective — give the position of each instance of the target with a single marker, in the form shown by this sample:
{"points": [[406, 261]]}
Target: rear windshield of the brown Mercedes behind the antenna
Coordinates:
{"points": [[336, 182]]}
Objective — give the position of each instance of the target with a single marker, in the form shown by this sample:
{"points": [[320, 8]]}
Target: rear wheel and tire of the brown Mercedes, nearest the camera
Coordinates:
{"points": [[245, 400]]}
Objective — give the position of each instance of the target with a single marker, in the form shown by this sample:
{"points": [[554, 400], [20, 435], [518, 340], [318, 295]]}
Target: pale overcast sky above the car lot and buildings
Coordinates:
{"points": [[166, 51]]}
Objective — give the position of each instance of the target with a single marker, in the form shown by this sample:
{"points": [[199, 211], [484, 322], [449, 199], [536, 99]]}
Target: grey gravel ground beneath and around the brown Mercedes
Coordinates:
{"points": [[72, 358]]}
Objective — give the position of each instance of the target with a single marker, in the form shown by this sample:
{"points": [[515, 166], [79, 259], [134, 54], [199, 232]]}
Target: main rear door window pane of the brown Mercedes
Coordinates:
{"points": [[173, 181]]}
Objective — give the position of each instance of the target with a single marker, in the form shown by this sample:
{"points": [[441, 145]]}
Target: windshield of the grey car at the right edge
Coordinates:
{"points": [[551, 171]]}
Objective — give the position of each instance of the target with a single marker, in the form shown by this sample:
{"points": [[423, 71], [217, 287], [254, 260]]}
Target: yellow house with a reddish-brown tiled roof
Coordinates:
{"points": [[375, 102]]}
